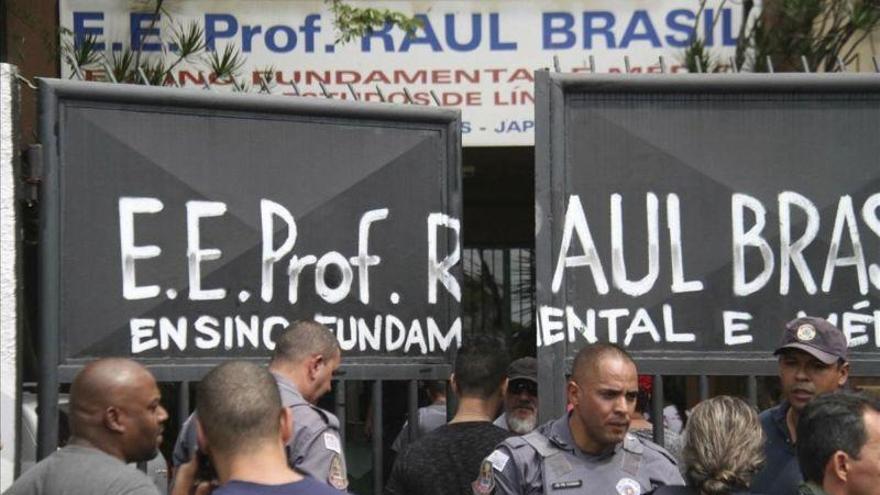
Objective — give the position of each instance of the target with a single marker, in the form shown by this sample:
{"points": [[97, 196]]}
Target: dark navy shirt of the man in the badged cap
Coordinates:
{"points": [[781, 474]]}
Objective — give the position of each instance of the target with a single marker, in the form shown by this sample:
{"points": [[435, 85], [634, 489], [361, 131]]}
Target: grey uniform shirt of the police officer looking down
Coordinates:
{"points": [[315, 448]]}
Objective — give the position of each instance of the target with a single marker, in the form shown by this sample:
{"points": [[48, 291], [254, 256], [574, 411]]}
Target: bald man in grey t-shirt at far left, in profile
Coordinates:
{"points": [[115, 418]]}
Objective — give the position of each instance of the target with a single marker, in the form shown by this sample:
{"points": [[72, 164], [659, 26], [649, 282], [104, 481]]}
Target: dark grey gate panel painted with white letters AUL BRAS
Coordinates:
{"points": [[688, 218]]}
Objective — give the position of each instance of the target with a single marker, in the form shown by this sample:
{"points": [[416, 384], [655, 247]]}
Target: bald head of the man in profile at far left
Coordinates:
{"points": [[114, 406]]}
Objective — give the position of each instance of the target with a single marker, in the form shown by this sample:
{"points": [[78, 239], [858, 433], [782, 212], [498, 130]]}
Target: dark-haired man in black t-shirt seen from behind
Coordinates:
{"points": [[447, 460]]}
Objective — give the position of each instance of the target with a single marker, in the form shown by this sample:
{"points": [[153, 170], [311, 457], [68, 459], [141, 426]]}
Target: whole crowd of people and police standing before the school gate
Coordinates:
{"points": [[257, 430]]}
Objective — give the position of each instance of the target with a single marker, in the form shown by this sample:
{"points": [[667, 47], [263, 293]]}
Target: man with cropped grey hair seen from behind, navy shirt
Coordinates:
{"points": [[243, 427]]}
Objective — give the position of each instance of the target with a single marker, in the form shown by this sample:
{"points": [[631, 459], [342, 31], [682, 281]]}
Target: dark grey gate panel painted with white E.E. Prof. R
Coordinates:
{"points": [[186, 227]]}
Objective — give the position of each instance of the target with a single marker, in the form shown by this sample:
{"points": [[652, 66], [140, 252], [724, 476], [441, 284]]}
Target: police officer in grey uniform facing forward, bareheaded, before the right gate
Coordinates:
{"points": [[589, 449]]}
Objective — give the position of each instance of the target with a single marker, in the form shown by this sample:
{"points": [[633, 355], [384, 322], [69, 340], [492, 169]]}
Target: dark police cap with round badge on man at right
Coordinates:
{"points": [[815, 336]]}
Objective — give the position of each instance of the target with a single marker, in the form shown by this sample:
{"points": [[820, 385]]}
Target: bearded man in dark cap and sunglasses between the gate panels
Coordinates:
{"points": [[520, 414]]}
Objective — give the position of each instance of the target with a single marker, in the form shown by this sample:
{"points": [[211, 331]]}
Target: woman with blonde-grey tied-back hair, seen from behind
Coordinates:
{"points": [[723, 447]]}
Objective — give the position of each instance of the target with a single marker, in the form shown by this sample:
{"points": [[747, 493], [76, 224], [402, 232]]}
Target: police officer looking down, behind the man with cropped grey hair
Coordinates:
{"points": [[305, 357]]}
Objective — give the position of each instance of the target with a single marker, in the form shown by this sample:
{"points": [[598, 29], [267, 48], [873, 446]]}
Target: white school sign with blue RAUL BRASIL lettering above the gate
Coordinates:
{"points": [[478, 56]]}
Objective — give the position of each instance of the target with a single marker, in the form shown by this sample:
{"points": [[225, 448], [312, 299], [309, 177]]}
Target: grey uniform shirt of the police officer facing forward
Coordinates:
{"points": [[548, 461]]}
